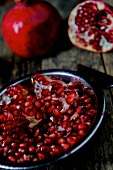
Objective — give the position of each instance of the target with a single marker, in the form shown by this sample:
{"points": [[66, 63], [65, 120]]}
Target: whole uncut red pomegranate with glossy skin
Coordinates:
{"points": [[30, 28]]}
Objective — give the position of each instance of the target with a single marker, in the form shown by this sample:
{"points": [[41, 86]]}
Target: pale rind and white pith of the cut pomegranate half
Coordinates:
{"points": [[72, 29]]}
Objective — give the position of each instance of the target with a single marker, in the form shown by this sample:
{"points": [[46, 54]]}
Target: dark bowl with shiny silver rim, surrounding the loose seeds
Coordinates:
{"points": [[65, 75]]}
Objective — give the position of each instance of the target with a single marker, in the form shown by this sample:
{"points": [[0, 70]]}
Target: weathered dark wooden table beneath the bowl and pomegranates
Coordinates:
{"points": [[66, 56]]}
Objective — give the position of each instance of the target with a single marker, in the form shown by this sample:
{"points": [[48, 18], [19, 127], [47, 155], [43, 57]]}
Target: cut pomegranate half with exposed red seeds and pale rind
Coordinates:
{"points": [[91, 26]]}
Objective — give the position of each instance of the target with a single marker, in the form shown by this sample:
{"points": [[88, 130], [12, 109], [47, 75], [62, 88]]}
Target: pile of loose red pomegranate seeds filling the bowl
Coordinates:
{"points": [[45, 118]]}
